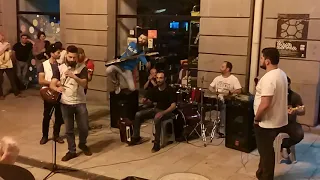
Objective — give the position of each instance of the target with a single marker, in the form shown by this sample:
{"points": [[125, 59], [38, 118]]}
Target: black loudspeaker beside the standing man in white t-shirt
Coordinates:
{"points": [[239, 125]]}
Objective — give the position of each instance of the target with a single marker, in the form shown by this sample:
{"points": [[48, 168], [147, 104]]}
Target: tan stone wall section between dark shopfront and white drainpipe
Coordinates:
{"points": [[224, 36]]}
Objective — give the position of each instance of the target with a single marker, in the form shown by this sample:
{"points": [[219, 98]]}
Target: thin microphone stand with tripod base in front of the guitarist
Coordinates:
{"points": [[54, 168]]}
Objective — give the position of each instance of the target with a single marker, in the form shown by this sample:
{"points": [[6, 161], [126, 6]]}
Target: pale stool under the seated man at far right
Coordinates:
{"points": [[277, 149]]}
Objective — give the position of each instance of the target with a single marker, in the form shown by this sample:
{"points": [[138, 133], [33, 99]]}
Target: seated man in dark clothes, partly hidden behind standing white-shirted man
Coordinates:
{"points": [[294, 129]]}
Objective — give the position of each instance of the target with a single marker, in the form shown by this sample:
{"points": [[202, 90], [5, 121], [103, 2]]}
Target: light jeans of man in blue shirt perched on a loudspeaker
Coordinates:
{"points": [[126, 74]]}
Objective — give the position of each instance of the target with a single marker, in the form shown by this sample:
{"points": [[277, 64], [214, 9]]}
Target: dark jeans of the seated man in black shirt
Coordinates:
{"points": [[148, 114]]}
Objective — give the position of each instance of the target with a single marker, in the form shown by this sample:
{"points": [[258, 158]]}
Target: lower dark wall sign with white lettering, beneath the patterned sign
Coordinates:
{"points": [[295, 49]]}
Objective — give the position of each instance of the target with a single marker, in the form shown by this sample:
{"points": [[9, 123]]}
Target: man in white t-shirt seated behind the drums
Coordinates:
{"points": [[225, 84]]}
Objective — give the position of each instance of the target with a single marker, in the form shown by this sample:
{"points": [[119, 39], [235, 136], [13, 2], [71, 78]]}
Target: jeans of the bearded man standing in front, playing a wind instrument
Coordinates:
{"points": [[79, 113]]}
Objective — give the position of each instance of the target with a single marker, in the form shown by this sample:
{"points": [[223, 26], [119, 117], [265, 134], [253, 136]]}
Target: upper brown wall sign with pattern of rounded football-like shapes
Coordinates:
{"points": [[293, 26]]}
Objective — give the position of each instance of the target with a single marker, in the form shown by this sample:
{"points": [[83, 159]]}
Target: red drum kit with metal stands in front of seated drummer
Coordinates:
{"points": [[192, 105]]}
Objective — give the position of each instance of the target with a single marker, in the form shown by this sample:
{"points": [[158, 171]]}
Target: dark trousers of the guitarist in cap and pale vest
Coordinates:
{"points": [[47, 114]]}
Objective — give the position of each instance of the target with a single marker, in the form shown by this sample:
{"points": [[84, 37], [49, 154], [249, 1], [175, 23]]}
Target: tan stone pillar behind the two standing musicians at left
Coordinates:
{"points": [[92, 27]]}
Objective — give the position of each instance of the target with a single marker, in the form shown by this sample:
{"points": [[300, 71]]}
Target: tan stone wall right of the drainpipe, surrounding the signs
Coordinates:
{"points": [[304, 72]]}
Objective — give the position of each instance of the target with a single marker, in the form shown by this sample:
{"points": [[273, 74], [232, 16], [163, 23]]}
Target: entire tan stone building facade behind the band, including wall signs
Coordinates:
{"points": [[225, 35]]}
